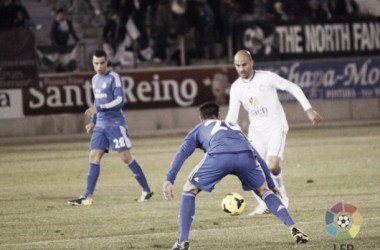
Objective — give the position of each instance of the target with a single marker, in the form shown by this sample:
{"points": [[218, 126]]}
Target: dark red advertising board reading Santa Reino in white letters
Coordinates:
{"points": [[148, 89]]}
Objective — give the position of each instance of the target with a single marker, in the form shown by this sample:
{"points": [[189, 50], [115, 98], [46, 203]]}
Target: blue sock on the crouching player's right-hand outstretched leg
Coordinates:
{"points": [[276, 207]]}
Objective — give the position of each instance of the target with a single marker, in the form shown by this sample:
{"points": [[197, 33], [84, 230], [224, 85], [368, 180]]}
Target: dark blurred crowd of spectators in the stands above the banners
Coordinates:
{"points": [[152, 32]]}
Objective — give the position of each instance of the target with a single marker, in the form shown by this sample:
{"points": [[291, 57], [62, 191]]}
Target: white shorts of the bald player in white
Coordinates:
{"points": [[269, 143]]}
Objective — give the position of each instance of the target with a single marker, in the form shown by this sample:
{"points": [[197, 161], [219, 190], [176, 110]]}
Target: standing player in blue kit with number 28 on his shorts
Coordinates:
{"points": [[108, 127]]}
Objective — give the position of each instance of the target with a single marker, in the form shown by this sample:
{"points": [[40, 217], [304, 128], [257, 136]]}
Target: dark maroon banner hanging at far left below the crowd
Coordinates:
{"points": [[18, 67]]}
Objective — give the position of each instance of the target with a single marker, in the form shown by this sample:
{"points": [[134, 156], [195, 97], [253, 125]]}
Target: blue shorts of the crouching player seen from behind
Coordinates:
{"points": [[213, 168]]}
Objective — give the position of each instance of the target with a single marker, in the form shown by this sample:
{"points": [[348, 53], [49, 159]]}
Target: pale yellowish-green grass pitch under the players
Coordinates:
{"points": [[322, 167]]}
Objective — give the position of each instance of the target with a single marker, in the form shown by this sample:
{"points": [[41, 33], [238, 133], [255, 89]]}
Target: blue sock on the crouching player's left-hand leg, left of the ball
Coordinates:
{"points": [[186, 215]]}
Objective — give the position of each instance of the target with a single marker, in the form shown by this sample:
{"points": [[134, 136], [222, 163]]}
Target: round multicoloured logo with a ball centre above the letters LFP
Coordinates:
{"points": [[343, 221]]}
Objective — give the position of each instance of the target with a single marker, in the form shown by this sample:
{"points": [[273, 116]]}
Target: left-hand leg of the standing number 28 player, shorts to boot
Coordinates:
{"points": [[98, 146]]}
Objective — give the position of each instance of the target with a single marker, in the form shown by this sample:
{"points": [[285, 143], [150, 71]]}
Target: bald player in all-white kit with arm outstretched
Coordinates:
{"points": [[256, 90]]}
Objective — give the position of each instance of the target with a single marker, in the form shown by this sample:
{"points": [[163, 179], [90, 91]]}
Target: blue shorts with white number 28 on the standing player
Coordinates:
{"points": [[117, 136]]}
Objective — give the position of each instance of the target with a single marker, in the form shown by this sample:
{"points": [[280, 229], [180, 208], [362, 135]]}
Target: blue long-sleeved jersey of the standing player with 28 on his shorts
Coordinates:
{"points": [[108, 90]]}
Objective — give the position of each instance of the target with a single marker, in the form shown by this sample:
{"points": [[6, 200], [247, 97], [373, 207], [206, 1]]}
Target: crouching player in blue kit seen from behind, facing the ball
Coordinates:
{"points": [[227, 151]]}
